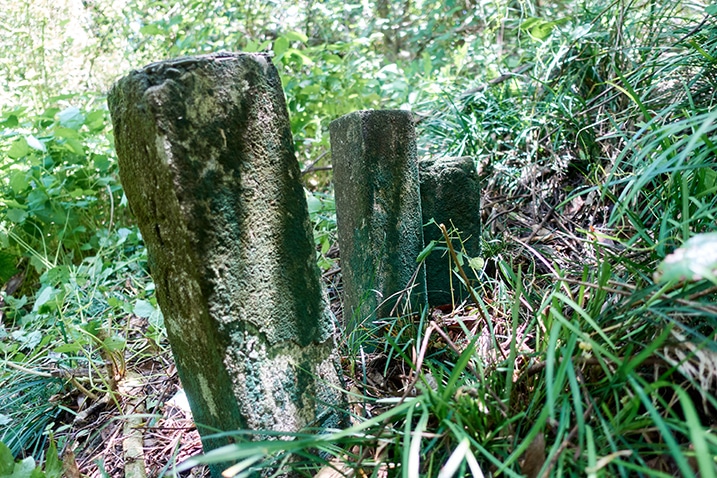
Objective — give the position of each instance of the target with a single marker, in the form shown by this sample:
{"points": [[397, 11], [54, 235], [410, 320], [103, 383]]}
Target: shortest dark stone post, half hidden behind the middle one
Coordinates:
{"points": [[450, 194]]}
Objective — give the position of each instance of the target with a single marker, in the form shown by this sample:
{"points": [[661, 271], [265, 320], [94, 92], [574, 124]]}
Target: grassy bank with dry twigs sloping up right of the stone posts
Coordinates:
{"points": [[597, 158]]}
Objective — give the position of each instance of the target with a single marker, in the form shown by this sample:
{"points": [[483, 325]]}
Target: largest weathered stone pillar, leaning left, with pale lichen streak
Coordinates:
{"points": [[207, 163]]}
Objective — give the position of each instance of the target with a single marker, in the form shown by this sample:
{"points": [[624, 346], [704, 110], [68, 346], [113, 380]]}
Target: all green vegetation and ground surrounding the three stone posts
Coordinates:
{"points": [[589, 347]]}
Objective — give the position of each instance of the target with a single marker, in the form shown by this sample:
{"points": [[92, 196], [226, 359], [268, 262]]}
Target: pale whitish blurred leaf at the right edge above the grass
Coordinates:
{"points": [[695, 260]]}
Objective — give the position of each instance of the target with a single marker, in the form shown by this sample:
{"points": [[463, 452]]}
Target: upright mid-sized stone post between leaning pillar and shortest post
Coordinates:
{"points": [[378, 212]]}
